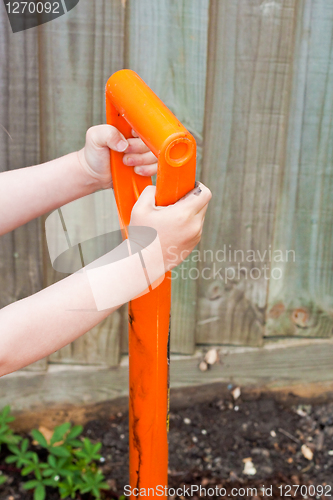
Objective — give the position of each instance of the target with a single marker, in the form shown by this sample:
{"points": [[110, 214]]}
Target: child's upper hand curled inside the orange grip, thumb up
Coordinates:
{"points": [[95, 156]]}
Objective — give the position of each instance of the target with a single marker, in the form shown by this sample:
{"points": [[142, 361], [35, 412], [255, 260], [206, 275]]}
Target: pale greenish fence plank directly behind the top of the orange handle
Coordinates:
{"points": [[166, 45]]}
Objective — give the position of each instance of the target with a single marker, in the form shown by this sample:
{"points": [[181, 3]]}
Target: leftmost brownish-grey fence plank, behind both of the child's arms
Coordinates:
{"points": [[20, 250]]}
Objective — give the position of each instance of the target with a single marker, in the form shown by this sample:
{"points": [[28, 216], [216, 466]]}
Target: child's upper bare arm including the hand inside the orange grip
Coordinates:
{"points": [[27, 193]]}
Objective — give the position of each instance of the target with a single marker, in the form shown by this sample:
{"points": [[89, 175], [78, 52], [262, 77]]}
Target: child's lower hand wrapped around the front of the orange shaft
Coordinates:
{"points": [[179, 226]]}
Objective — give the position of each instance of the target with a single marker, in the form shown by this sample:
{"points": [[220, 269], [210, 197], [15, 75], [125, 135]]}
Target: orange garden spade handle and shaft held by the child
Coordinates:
{"points": [[131, 104]]}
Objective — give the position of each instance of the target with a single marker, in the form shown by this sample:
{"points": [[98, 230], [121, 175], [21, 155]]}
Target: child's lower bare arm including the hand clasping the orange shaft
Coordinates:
{"points": [[37, 326]]}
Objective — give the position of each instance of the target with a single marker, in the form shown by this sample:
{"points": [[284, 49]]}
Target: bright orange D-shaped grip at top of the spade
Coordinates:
{"points": [[131, 104]]}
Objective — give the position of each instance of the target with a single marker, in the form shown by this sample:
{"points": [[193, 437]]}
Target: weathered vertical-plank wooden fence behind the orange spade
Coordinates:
{"points": [[253, 82]]}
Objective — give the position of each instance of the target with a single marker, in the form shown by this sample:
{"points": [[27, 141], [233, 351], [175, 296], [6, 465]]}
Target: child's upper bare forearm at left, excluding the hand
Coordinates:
{"points": [[27, 193]]}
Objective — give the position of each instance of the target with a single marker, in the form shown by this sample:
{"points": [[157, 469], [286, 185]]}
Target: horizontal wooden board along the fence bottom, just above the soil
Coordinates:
{"points": [[271, 368]]}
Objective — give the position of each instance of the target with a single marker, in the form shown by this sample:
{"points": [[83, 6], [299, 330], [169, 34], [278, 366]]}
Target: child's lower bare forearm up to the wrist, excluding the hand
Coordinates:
{"points": [[39, 325]]}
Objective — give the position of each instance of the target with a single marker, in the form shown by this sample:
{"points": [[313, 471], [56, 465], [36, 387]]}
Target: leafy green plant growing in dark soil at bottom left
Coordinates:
{"points": [[70, 465]]}
